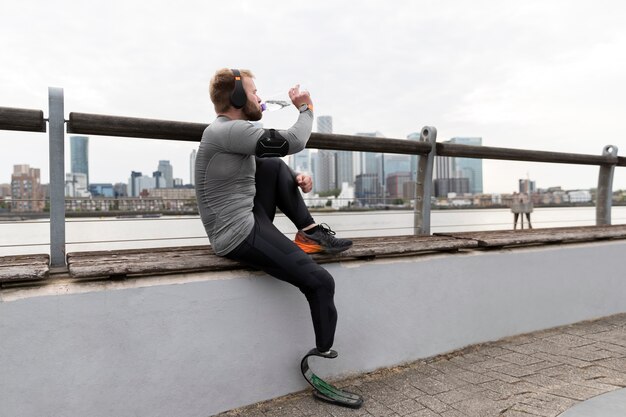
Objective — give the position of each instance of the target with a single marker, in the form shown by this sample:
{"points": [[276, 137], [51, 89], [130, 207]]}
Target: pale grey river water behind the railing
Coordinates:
{"points": [[23, 237]]}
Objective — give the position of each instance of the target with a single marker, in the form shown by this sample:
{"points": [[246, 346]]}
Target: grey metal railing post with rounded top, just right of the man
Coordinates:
{"points": [[424, 183]]}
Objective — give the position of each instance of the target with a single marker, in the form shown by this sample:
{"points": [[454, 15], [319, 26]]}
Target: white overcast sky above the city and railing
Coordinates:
{"points": [[544, 75]]}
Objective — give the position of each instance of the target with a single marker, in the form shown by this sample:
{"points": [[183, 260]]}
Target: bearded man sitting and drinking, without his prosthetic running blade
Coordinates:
{"points": [[240, 181]]}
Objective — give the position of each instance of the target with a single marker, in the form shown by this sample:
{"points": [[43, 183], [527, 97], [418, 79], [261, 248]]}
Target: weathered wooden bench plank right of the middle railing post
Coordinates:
{"points": [[498, 238]]}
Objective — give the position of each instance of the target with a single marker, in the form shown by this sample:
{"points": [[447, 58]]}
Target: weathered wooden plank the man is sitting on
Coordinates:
{"points": [[202, 258]]}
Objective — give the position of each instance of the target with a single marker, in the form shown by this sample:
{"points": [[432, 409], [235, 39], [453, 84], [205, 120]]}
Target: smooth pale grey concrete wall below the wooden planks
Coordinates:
{"points": [[195, 345]]}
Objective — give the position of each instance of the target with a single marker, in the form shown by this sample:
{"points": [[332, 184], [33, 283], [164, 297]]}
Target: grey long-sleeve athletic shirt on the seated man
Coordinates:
{"points": [[225, 169]]}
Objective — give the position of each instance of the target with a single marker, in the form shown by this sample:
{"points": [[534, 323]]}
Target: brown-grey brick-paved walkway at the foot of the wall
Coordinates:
{"points": [[538, 374]]}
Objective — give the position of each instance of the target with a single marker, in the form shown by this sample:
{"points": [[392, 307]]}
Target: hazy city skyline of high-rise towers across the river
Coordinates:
{"points": [[305, 161]]}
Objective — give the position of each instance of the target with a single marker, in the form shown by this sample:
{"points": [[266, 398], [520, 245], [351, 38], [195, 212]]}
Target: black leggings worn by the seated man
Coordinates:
{"points": [[266, 248]]}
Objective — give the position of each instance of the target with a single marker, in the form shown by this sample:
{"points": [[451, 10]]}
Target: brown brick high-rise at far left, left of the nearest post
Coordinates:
{"points": [[26, 191]]}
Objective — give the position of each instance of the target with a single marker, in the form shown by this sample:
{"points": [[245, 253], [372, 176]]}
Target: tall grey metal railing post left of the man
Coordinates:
{"points": [[56, 123]]}
